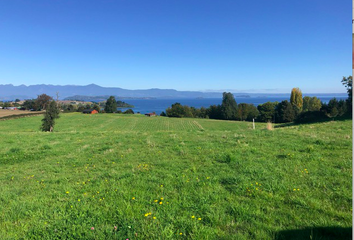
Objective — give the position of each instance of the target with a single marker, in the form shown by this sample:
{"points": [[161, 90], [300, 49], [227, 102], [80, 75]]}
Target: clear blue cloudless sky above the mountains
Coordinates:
{"points": [[237, 45]]}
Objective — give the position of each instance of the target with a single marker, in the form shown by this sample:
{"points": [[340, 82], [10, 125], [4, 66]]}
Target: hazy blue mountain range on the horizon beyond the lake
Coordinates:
{"points": [[94, 92]]}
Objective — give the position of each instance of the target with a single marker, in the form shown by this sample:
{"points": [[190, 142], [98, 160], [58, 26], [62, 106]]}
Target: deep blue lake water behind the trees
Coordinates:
{"points": [[158, 105]]}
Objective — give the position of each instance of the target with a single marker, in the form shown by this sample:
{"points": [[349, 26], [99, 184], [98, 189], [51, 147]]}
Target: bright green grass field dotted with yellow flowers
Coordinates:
{"points": [[113, 176]]}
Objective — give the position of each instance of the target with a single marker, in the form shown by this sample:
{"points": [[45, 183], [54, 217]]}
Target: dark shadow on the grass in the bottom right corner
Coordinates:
{"points": [[323, 233]]}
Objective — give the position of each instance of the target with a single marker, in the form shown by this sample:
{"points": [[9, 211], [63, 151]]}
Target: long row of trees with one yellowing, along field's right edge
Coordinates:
{"points": [[299, 109]]}
